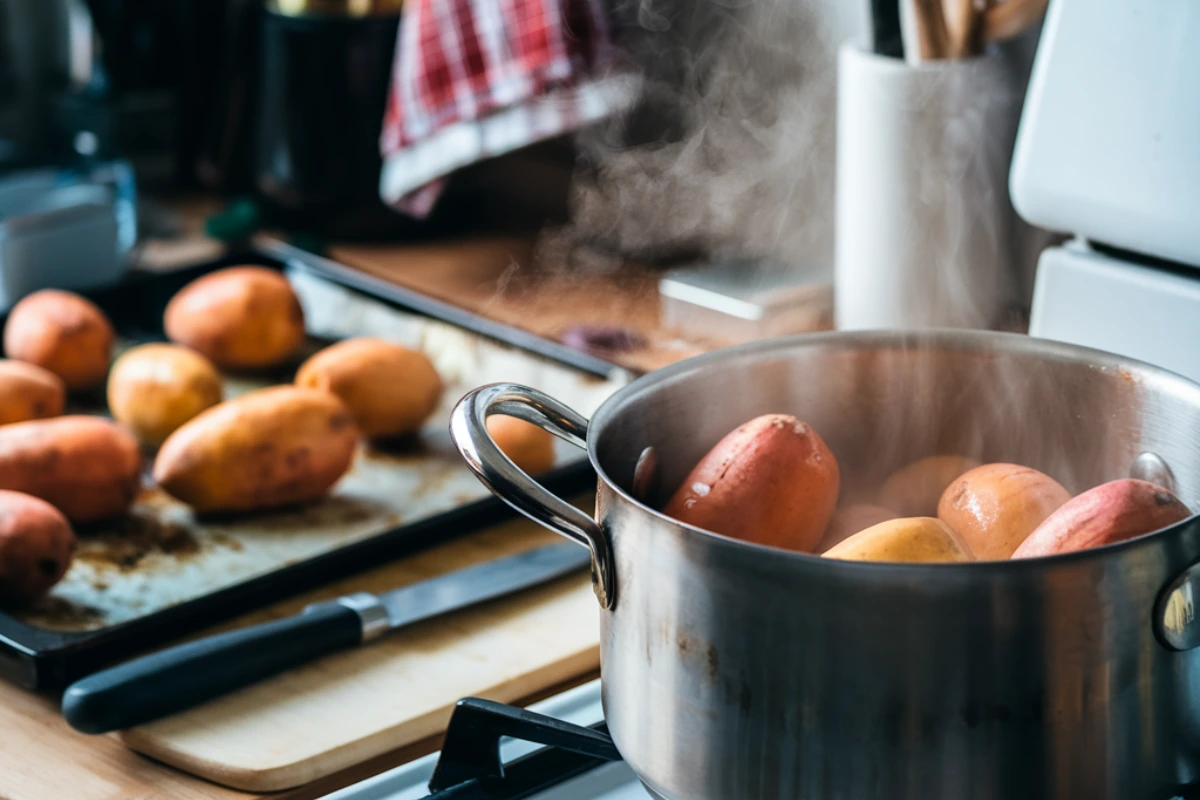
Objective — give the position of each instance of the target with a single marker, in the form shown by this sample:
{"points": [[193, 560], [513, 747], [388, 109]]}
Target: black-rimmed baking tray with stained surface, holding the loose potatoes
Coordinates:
{"points": [[161, 573]]}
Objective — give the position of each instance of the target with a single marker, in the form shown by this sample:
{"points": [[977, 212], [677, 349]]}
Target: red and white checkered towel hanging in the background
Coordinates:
{"points": [[478, 79]]}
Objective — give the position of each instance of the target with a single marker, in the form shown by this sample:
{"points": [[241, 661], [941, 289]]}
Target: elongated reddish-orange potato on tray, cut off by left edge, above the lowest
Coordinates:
{"points": [[87, 467]]}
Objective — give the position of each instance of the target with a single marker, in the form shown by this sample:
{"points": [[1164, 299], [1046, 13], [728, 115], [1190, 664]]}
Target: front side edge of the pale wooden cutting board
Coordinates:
{"points": [[296, 774]]}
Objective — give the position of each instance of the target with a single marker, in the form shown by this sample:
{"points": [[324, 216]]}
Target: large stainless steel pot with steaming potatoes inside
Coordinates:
{"points": [[734, 671]]}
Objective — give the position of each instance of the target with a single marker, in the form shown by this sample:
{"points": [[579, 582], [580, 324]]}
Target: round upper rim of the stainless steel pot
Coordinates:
{"points": [[940, 339]]}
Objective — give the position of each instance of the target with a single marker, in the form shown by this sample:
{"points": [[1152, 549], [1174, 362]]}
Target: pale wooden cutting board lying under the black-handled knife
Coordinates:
{"points": [[351, 707]]}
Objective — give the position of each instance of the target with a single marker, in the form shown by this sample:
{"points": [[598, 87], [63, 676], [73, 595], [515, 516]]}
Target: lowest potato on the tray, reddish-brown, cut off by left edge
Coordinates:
{"points": [[37, 548]]}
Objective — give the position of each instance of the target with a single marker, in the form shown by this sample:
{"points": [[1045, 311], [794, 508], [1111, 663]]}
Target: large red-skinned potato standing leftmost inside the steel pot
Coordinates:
{"points": [[772, 482]]}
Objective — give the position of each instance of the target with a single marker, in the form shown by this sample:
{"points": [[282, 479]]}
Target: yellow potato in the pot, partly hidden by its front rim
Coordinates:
{"points": [[919, 540]]}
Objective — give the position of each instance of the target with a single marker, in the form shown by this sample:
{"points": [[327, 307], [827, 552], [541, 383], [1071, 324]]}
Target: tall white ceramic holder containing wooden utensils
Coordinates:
{"points": [[927, 236]]}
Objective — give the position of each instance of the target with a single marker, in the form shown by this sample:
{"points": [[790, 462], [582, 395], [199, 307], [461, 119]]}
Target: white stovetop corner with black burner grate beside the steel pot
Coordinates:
{"points": [[556, 750]]}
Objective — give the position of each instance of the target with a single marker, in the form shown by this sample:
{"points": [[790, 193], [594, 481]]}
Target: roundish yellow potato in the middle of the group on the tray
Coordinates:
{"points": [[157, 388]]}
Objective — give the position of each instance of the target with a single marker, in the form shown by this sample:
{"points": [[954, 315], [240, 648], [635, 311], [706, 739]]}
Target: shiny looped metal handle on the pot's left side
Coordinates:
{"points": [[509, 483]]}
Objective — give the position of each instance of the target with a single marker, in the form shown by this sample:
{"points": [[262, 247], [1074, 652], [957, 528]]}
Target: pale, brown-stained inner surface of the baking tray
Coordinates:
{"points": [[161, 555]]}
